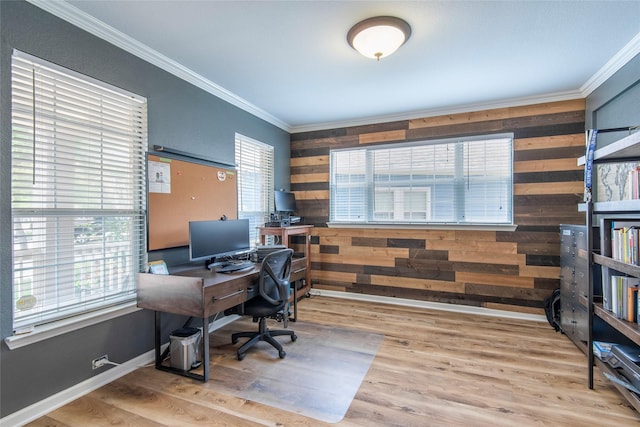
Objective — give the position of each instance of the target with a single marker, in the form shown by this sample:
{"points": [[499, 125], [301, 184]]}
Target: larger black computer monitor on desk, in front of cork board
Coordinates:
{"points": [[218, 240]]}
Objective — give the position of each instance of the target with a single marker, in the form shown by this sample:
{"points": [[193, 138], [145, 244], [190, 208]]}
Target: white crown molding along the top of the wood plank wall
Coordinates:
{"points": [[467, 108]]}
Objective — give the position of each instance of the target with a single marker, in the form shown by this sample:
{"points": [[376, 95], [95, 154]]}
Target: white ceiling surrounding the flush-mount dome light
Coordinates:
{"points": [[289, 62]]}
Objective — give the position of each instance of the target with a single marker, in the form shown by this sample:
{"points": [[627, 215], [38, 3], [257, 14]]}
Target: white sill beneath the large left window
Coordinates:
{"points": [[54, 329]]}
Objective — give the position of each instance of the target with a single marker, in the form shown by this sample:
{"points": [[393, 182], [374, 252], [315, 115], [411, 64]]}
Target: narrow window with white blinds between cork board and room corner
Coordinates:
{"points": [[255, 182]]}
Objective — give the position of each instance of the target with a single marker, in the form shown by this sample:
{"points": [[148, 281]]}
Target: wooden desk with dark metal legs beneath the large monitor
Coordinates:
{"points": [[199, 293]]}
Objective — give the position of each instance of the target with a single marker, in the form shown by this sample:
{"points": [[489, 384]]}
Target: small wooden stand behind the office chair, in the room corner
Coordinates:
{"points": [[296, 273]]}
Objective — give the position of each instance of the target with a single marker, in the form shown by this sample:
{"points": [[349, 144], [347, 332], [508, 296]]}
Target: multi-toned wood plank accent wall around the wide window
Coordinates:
{"points": [[495, 269]]}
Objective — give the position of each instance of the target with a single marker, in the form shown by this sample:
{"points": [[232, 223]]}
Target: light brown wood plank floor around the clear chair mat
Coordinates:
{"points": [[434, 368]]}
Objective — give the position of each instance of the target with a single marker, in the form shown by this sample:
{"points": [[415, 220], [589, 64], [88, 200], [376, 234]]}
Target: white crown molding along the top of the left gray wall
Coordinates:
{"points": [[75, 16]]}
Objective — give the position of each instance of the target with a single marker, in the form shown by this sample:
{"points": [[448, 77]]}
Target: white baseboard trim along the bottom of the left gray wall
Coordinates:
{"points": [[43, 407]]}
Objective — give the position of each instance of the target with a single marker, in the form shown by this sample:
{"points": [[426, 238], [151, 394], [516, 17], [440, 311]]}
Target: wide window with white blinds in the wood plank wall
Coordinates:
{"points": [[463, 181]]}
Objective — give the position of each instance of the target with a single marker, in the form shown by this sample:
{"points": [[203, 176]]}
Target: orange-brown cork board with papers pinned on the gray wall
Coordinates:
{"points": [[181, 191]]}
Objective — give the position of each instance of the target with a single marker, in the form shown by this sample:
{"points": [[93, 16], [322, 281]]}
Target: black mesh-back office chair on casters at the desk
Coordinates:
{"points": [[272, 302]]}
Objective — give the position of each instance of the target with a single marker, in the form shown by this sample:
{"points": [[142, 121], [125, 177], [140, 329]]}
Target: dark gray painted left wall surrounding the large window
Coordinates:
{"points": [[180, 115]]}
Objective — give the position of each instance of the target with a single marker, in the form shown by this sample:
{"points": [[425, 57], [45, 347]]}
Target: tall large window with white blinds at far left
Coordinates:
{"points": [[77, 192]]}
